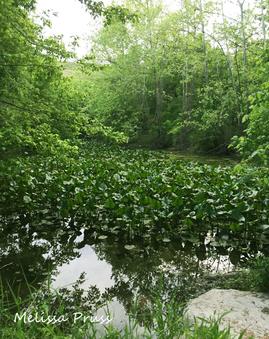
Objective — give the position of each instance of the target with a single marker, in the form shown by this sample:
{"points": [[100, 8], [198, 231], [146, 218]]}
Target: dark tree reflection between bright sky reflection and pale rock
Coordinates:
{"points": [[176, 269]]}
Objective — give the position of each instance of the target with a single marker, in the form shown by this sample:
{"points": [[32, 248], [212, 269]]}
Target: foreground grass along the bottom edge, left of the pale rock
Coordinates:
{"points": [[166, 318]]}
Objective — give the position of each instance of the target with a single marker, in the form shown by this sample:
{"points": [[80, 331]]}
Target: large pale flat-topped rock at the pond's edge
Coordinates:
{"points": [[247, 311]]}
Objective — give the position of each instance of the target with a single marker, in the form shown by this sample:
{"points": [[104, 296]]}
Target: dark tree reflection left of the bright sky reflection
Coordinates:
{"points": [[30, 252]]}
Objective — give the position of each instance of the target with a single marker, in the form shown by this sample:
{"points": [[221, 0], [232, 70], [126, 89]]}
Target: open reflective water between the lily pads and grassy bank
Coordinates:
{"points": [[182, 267]]}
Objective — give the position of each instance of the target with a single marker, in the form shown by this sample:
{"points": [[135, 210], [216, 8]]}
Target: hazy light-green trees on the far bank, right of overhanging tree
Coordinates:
{"points": [[167, 80]]}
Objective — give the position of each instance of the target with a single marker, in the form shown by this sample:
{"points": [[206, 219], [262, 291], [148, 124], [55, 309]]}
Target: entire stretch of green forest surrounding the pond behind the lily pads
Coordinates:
{"points": [[194, 80]]}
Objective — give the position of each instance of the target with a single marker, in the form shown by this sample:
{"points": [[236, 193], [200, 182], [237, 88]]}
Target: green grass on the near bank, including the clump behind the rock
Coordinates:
{"points": [[162, 317]]}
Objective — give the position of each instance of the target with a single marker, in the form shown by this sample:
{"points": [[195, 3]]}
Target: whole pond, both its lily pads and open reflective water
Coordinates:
{"points": [[138, 225]]}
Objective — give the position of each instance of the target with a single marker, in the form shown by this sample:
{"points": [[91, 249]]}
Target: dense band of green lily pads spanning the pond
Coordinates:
{"points": [[135, 192]]}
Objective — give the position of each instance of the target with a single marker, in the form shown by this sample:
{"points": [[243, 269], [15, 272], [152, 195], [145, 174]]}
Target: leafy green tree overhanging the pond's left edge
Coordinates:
{"points": [[40, 110]]}
